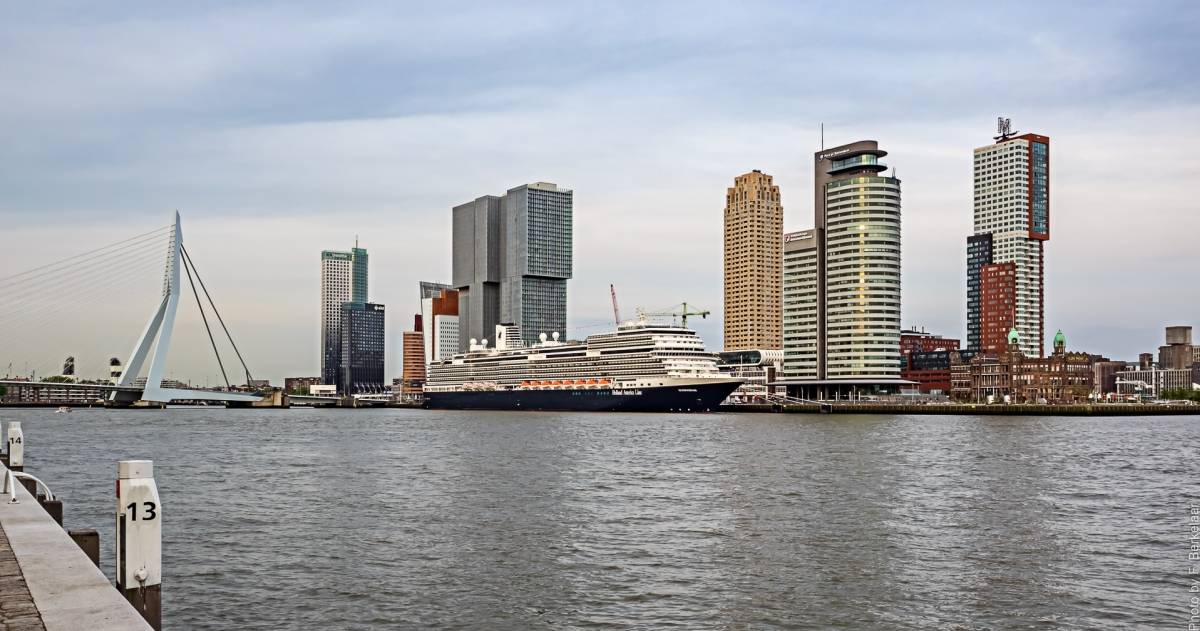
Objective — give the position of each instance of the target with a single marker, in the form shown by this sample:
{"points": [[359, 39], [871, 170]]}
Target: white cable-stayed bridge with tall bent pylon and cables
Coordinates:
{"points": [[77, 279]]}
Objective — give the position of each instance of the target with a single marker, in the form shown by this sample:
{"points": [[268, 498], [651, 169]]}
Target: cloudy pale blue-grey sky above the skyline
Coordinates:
{"points": [[281, 130]]}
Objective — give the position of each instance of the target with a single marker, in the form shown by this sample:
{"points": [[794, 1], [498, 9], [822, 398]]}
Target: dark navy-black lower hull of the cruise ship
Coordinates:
{"points": [[692, 398]]}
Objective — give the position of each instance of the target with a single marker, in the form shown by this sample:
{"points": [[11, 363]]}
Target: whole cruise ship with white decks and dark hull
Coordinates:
{"points": [[639, 368]]}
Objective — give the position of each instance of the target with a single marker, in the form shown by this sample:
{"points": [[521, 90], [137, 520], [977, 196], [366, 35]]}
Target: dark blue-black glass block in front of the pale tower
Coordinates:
{"points": [[363, 350]]}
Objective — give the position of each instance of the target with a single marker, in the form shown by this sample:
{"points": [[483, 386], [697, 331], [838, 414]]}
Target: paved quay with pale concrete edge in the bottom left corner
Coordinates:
{"points": [[47, 582]]}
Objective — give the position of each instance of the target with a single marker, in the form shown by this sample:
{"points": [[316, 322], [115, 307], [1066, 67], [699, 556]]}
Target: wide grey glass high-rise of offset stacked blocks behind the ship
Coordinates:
{"points": [[512, 261]]}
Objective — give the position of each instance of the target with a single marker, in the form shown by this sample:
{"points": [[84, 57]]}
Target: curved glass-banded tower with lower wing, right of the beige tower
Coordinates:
{"points": [[842, 280]]}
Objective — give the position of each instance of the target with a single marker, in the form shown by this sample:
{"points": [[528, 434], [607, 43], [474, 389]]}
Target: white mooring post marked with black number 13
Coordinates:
{"points": [[140, 539]]}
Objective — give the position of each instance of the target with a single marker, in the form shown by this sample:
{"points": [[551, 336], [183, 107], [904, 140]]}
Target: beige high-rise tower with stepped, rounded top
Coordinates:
{"points": [[754, 265]]}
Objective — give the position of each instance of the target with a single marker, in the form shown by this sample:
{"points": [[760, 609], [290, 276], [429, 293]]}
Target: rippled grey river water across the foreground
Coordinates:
{"points": [[443, 520]]}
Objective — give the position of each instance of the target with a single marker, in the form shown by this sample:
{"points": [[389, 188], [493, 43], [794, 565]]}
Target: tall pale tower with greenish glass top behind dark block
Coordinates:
{"points": [[344, 279]]}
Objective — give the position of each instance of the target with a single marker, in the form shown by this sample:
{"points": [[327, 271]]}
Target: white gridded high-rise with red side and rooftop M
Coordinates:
{"points": [[1012, 215]]}
